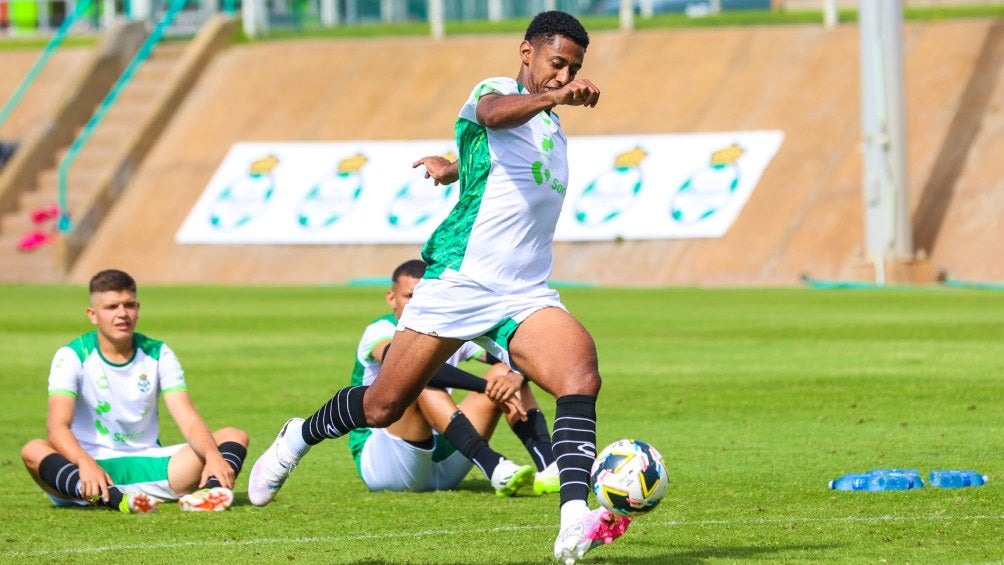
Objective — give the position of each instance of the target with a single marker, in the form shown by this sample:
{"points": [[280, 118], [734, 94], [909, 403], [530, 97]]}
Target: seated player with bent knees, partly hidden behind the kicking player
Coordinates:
{"points": [[409, 456]]}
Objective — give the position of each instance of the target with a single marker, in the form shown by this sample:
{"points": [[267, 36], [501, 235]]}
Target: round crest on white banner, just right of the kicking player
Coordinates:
{"points": [[611, 194]]}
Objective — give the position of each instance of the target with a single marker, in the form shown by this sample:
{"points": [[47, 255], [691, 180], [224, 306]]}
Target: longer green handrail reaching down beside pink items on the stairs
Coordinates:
{"points": [[65, 224]]}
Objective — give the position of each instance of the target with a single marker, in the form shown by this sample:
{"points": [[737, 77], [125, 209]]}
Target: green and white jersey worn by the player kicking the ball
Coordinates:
{"points": [[513, 186]]}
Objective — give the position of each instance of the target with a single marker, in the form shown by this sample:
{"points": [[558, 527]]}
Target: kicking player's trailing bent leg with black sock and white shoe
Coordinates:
{"points": [[408, 367]]}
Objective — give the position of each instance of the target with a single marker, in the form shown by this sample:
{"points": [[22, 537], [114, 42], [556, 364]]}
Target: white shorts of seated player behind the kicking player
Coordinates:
{"points": [[388, 463]]}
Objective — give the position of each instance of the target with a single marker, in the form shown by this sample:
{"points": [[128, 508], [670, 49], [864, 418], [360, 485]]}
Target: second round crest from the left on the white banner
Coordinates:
{"points": [[334, 196]]}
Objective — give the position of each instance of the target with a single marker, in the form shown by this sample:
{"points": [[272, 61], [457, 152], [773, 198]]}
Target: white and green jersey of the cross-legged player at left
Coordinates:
{"points": [[117, 405]]}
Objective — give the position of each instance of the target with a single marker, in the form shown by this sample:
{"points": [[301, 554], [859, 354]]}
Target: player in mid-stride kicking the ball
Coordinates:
{"points": [[487, 279]]}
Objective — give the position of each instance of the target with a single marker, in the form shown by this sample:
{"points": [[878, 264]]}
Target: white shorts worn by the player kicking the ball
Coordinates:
{"points": [[456, 307]]}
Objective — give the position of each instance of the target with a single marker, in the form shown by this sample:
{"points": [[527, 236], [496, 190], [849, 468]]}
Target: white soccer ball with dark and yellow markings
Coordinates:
{"points": [[629, 477]]}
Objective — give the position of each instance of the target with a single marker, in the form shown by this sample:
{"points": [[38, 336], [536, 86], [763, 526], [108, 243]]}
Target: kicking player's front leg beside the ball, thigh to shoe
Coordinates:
{"points": [[568, 369]]}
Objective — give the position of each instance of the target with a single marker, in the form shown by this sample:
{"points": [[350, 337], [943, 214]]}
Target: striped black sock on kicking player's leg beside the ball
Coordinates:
{"points": [[575, 444]]}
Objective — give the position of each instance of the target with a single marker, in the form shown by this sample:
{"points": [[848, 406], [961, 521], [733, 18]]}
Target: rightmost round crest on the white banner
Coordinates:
{"points": [[708, 190]]}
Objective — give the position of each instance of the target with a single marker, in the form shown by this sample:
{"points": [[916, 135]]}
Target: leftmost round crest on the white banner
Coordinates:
{"points": [[246, 197]]}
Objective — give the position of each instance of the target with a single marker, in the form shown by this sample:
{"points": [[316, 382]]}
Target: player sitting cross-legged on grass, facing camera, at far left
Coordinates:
{"points": [[103, 425]]}
